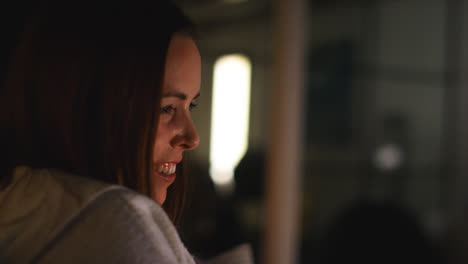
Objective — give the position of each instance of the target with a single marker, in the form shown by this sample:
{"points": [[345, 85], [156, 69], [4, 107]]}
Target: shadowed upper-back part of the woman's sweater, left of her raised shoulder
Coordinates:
{"points": [[36, 204]]}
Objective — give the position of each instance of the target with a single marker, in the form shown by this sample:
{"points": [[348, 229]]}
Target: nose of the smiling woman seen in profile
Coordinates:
{"points": [[186, 136]]}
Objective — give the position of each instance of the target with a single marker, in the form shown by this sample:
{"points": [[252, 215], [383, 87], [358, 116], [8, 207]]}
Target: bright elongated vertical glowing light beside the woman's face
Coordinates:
{"points": [[230, 116]]}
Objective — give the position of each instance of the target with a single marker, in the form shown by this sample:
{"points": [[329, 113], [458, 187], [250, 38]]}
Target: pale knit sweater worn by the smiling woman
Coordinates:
{"points": [[47, 216]]}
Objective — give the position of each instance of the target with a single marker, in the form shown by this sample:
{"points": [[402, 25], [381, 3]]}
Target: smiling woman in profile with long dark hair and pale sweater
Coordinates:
{"points": [[95, 120]]}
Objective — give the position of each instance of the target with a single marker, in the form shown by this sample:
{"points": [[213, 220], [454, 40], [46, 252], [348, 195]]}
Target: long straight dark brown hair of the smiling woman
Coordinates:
{"points": [[82, 92]]}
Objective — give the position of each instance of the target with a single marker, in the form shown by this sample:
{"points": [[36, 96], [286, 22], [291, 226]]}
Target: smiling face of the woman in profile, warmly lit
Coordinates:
{"points": [[176, 131]]}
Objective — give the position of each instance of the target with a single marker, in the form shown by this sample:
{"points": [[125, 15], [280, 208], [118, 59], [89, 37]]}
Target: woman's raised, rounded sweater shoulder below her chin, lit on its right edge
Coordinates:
{"points": [[118, 226]]}
